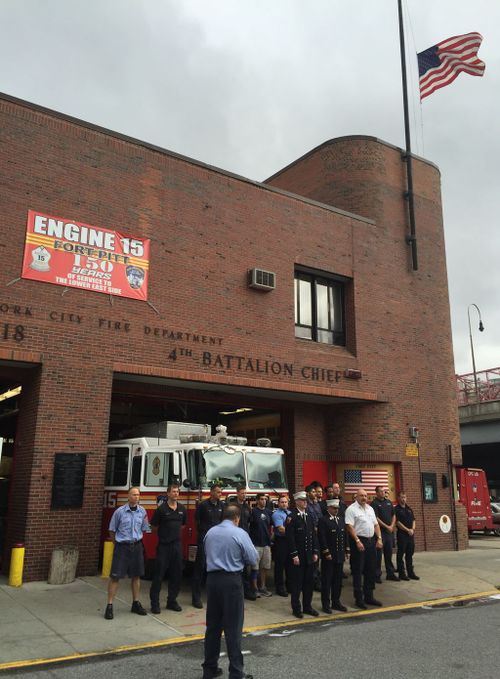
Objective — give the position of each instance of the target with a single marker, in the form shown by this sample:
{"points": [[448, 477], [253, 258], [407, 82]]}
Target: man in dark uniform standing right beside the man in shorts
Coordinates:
{"points": [[167, 522]]}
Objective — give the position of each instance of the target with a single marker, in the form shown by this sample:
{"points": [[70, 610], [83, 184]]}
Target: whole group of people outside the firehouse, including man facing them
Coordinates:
{"points": [[310, 543]]}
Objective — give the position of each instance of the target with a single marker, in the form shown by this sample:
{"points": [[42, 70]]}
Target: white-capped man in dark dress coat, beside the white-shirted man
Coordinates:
{"points": [[331, 534]]}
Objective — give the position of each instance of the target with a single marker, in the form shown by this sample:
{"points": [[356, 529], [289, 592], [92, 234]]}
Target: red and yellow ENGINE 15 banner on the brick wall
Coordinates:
{"points": [[76, 255]]}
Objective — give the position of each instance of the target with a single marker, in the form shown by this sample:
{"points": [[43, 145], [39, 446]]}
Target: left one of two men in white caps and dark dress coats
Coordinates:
{"points": [[303, 549]]}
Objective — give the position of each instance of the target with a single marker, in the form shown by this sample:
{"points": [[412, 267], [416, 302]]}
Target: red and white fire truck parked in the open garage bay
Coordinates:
{"points": [[188, 454]]}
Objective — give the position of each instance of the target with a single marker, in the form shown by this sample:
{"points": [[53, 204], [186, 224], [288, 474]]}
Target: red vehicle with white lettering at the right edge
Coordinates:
{"points": [[475, 496]]}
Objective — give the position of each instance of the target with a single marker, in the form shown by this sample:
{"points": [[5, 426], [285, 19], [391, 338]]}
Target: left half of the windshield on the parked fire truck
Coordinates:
{"points": [[217, 466]]}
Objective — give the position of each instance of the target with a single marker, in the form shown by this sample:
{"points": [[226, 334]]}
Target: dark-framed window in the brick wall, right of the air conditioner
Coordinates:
{"points": [[319, 308]]}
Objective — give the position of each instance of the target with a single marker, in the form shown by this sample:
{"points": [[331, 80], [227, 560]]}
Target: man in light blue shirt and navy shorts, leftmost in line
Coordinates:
{"points": [[126, 529]]}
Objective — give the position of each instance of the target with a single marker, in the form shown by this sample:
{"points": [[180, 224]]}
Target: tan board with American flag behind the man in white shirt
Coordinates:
{"points": [[367, 475]]}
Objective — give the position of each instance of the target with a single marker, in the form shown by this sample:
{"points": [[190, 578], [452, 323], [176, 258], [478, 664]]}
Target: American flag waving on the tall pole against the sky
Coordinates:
{"points": [[439, 65]]}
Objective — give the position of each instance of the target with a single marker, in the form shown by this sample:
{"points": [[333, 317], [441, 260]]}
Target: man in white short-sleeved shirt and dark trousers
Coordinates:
{"points": [[364, 539]]}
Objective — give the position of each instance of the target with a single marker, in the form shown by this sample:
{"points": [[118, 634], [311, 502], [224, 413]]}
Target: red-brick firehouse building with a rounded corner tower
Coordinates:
{"points": [[339, 381]]}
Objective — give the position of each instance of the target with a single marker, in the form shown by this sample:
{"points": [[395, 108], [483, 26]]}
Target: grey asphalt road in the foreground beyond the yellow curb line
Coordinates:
{"points": [[450, 642]]}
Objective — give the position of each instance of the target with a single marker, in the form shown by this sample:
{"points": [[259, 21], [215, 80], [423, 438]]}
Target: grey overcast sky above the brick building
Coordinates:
{"points": [[250, 85]]}
